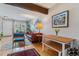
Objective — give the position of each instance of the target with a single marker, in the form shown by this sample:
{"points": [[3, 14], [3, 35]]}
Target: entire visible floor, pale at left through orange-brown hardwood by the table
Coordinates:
{"points": [[38, 46]]}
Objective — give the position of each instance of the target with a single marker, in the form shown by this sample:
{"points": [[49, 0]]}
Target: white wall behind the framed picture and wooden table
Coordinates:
{"points": [[73, 30]]}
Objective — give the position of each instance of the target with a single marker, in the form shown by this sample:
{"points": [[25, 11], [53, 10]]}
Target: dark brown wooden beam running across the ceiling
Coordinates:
{"points": [[31, 6]]}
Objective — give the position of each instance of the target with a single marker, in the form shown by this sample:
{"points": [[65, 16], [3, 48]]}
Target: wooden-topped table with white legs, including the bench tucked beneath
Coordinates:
{"points": [[61, 40]]}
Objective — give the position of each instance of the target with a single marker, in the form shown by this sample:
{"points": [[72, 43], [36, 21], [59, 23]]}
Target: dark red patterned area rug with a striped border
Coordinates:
{"points": [[29, 52]]}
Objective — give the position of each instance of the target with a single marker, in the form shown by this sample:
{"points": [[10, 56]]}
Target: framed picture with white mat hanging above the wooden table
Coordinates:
{"points": [[60, 20]]}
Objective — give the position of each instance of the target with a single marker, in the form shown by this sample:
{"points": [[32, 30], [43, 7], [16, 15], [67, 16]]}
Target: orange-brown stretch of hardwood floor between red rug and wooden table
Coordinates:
{"points": [[46, 52]]}
